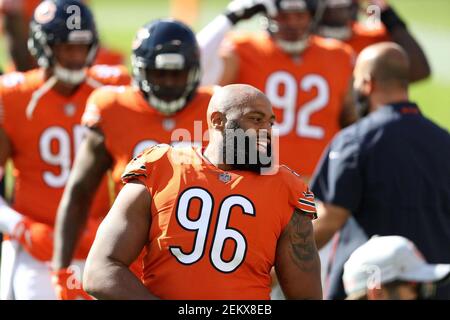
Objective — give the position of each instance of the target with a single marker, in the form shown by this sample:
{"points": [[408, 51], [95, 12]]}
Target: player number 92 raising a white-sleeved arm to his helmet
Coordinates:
{"points": [[306, 78]]}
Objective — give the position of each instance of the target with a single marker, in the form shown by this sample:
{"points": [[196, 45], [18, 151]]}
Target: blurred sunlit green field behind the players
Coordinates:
{"points": [[429, 21]]}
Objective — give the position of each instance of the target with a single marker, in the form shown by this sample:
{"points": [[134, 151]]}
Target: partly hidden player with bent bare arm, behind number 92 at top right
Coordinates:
{"points": [[383, 24]]}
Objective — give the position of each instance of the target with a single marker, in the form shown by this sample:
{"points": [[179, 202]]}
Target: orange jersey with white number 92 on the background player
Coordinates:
{"points": [[307, 94]]}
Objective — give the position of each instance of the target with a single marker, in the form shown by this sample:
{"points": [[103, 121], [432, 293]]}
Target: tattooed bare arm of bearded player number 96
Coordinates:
{"points": [[297, 262]]}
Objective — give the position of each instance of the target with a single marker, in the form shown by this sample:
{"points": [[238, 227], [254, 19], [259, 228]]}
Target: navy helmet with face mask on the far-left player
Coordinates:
{"points": [[59, 23]]}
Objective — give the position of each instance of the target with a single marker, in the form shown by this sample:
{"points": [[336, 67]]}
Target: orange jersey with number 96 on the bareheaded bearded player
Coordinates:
{"points": [[213, 233]]}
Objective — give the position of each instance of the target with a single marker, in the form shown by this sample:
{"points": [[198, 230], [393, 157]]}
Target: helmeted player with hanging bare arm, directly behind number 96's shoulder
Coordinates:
{"points": [[123, 121]]}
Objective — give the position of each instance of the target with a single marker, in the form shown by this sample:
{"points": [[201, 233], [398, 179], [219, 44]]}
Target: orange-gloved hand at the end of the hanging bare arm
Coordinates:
{"points": [[67, 286]]}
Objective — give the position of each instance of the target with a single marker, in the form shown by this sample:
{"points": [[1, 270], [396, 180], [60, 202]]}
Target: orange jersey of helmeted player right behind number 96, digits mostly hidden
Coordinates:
{"points": [[130, 125]]}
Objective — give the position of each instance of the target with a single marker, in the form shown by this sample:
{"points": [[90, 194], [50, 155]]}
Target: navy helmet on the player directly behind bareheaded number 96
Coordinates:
{"points": [[162, 45]]}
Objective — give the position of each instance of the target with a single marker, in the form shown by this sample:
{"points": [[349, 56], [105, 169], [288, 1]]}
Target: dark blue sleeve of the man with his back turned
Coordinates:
{"points": [[338, 179]]}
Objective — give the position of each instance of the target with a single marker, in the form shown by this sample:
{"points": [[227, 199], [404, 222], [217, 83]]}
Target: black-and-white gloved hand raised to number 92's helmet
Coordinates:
{"points": [[239, 10]]}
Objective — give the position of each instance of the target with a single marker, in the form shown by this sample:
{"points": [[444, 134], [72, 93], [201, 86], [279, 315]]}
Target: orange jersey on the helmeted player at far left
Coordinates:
{"points": [[45, 138]]}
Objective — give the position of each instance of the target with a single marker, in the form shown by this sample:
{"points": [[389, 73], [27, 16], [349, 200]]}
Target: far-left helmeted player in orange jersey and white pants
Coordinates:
{"points": [[49, 103]]}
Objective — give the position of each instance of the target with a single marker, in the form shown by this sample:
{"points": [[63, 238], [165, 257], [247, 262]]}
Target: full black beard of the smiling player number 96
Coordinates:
{"points": [[248, 150]]}
